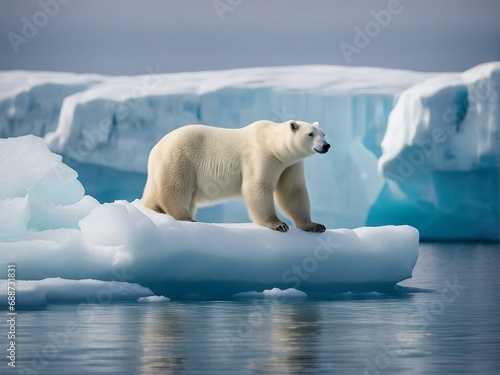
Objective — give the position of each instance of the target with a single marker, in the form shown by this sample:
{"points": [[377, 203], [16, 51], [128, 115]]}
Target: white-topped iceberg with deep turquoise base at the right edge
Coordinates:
{"points": [[441, 157]]}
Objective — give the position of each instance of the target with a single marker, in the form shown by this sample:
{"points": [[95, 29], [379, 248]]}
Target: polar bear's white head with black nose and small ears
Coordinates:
{"points": [[308, 138]]}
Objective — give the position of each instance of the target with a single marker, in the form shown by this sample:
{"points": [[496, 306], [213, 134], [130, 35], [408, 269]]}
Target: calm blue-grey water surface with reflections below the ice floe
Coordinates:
{"points": [[445, 320]]}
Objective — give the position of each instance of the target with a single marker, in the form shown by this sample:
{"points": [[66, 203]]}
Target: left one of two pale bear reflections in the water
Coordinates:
{"points": [[160, 332]]}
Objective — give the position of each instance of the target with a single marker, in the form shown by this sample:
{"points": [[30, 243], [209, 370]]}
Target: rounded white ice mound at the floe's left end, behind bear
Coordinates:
{"points": [[38, 191]]}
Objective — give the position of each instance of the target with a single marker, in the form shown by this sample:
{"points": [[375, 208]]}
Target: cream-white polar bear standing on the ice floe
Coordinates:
{"points": [[198, 165]]}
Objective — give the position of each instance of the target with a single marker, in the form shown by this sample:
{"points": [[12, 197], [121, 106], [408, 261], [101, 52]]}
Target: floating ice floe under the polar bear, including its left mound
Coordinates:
{"points": [[125, 242]]}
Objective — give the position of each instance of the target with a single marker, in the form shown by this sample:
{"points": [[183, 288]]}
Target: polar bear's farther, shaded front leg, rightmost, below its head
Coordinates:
{"points": [[293, 199]]}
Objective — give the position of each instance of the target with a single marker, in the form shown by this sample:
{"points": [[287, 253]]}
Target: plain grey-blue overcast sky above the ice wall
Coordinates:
{"points": [[124, 36]]}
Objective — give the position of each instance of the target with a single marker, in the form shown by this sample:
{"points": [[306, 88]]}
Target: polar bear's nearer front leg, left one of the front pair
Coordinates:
{"points": [[260, 203]]}
